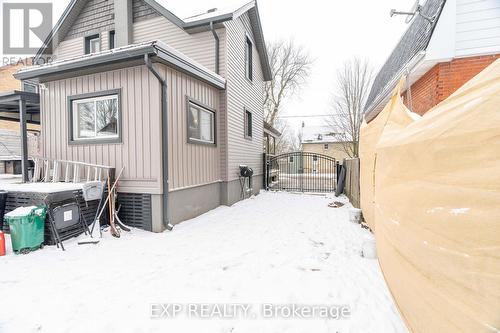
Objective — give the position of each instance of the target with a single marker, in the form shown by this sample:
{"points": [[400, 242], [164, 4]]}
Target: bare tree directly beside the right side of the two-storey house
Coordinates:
{"points": [[290, 66]]}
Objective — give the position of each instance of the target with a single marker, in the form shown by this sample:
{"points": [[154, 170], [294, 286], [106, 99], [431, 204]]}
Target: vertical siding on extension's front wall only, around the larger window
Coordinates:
{"points": [[140, 113]]}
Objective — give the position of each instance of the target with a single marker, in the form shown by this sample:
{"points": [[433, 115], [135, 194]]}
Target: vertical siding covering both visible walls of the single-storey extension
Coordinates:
{"points": [[140, 151]]}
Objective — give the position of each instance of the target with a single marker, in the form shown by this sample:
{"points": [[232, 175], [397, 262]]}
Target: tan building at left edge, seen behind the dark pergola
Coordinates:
{"points": [[10, 138]]}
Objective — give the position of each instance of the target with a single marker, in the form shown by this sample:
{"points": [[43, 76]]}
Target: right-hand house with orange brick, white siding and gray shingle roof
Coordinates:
{"points": [[440, 52]]}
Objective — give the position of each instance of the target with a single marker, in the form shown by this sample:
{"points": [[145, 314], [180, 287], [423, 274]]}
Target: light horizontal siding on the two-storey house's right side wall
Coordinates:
{"points": [[241, 94]]}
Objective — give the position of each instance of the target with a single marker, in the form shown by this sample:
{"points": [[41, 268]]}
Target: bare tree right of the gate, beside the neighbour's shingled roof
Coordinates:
{"points": [[353, 85]]}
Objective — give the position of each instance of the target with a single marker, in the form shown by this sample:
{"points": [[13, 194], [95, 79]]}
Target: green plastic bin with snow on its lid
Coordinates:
{"points": [[26, 226]]}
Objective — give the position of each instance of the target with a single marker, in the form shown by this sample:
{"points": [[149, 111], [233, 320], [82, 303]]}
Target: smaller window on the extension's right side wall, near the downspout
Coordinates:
{"points": [[201, 124]]}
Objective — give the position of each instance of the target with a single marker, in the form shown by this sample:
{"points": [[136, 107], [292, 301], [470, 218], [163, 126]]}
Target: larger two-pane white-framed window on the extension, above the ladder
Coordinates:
{"points": [[95, 118]]}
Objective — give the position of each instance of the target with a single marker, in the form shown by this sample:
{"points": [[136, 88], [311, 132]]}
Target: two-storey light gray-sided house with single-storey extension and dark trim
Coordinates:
{"points": [[177, 102]]}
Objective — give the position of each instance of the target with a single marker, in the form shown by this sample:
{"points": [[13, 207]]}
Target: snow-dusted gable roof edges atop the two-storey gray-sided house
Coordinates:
{"points": [[191, 24]]}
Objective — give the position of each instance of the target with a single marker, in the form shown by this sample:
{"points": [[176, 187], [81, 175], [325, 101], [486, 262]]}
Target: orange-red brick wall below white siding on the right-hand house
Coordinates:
{"points": [[443, 80]]}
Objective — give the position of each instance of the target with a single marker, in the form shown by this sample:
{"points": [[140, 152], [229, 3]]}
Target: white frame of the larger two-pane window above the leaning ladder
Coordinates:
{"points": [[74, 118]]}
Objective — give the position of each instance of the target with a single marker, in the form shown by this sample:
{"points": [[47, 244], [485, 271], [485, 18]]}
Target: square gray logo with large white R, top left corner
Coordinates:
{"points": [[25, 27]]}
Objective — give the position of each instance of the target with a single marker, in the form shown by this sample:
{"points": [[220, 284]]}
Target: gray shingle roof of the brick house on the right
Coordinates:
{"points": [[415, 39]]}
